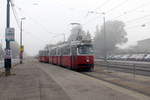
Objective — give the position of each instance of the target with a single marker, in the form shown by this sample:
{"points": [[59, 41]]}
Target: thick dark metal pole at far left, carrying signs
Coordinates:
{"points": [[7, 59]]}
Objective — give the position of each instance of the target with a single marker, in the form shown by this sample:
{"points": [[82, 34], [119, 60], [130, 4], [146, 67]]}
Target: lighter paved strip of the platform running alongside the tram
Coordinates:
{"points": [[81, 87]]}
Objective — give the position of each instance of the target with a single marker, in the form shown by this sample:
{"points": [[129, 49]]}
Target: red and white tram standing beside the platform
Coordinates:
{"points": [[73, 55]]}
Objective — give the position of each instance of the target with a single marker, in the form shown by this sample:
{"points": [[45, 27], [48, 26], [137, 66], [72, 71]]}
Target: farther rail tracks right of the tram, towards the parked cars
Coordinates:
{"points": [[135, 68]]}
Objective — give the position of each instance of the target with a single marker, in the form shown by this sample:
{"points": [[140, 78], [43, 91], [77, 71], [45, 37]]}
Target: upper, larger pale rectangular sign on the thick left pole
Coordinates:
{"points": [[10, 34]]}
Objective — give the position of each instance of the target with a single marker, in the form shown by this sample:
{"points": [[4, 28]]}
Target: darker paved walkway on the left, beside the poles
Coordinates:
{"points": [[30, 83]]}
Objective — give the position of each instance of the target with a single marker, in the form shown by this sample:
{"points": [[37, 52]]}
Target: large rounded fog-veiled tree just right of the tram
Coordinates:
{"points": [[107, 39]]}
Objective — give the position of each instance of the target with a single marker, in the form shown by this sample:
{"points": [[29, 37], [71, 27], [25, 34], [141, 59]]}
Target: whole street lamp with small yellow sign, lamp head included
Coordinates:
{"points": [[21, 46]]}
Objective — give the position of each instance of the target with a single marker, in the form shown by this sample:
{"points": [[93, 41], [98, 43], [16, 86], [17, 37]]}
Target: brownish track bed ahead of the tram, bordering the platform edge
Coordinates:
{"points": [[131, 84]]}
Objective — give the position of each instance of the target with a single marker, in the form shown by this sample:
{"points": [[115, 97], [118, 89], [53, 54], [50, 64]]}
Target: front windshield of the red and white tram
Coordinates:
{"points": [[85, 49]]}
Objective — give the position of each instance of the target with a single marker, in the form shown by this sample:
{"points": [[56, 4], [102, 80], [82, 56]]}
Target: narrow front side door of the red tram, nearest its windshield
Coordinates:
{"points": [[73, 56]]}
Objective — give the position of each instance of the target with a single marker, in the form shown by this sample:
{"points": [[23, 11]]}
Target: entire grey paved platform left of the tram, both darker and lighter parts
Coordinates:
{"points": [[38, 81]]}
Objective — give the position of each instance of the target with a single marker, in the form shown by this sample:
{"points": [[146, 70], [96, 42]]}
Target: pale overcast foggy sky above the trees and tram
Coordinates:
{"points": [[46, 19]]}
